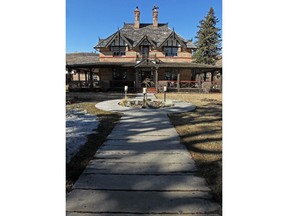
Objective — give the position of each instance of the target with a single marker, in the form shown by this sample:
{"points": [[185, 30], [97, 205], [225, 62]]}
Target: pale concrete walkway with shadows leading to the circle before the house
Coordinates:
{"points": [[141, 169]]}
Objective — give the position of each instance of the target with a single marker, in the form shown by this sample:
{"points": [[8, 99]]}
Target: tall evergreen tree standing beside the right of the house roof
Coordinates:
{"points": [[208, 40]]}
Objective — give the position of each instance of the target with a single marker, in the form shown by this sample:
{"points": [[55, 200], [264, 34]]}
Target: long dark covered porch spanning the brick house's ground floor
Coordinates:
{"points": [[153, 74]]}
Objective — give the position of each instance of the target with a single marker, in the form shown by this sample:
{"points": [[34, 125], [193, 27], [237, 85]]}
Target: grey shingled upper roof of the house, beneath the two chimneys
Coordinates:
{"points": [[157, 35]]}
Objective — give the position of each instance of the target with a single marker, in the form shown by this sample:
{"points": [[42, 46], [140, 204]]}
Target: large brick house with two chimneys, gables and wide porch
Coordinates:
{"points": [[140, 54]]}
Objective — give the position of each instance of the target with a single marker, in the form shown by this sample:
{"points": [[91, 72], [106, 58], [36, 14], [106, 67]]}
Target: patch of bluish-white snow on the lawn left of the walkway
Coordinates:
{"points": [[79, 124]]}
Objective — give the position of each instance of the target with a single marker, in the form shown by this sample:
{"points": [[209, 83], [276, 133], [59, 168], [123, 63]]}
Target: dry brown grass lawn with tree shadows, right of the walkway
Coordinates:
{"points": [[201, 132]]}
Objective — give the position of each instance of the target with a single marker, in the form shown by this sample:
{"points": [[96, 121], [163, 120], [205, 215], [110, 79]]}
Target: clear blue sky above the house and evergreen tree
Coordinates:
{"points": [[86, 20]]}
